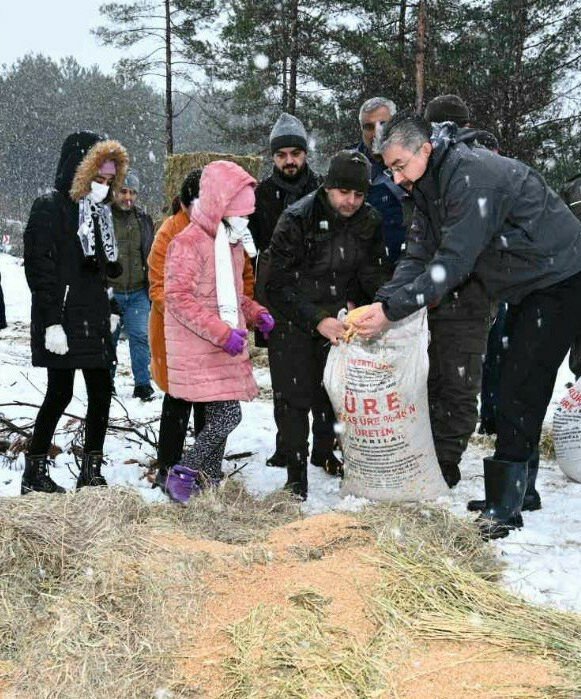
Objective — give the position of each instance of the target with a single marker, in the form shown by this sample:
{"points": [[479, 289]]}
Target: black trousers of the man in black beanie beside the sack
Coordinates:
{"points": [[297, 362]]}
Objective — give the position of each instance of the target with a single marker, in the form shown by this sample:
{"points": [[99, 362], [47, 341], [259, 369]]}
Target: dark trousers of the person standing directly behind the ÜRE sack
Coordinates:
{"points": [[456, 352]]}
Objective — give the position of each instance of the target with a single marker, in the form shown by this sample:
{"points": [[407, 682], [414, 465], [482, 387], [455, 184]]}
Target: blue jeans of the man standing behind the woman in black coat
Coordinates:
{"points": [[135, 306]]}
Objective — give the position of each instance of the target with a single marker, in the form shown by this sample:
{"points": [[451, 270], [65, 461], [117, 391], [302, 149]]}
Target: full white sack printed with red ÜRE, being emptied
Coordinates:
{"points": [[378, 389]]}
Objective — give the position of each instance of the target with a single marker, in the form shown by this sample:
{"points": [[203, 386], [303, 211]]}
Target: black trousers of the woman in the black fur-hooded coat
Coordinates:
{"points": [[59, 393]]}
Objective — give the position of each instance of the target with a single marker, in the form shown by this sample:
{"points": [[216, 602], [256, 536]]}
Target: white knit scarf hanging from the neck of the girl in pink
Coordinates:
{"points": [[226, 294]]}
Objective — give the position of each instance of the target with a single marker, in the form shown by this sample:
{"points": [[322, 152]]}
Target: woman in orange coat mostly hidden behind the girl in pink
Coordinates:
{"points": [[175, 412]]}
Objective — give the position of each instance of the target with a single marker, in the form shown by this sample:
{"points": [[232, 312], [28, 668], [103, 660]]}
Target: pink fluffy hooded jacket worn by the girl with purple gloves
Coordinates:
{"points": [[198, 368]]}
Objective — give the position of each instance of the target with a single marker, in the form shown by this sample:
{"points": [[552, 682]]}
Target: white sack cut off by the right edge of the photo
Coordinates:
{"points": [[567, 432]]}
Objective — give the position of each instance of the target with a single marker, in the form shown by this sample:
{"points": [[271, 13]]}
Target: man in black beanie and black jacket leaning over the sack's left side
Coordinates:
{"points": [[325, 248]]}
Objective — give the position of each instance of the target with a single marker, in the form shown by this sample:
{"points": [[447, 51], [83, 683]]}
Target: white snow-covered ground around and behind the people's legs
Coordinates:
{"points": [[543, 559]]}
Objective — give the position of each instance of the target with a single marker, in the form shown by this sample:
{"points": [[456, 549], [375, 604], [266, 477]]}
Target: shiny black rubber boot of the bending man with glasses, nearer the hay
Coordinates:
{"points": [[505, 485]]}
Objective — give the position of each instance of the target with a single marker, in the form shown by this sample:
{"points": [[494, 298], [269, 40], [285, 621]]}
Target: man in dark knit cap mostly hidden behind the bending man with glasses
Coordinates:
{"points": [[459, 326]]}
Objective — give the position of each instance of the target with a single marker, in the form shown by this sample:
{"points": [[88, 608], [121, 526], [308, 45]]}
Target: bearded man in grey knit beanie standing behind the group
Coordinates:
{"points": [[291, 179]]}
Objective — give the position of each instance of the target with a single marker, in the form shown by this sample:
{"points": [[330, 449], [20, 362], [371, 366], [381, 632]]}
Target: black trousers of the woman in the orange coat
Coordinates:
{"points": [[173, 427]]}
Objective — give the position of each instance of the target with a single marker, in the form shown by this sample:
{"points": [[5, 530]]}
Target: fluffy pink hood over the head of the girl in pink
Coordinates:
{"points": [[221, 181]]}
